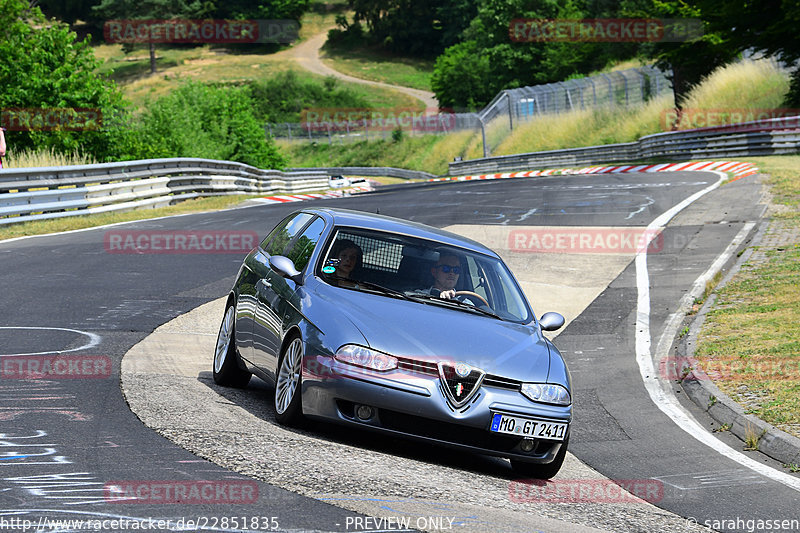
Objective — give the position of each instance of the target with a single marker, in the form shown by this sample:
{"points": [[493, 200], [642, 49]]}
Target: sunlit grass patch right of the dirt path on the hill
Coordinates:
{"points": [[376, 65]]}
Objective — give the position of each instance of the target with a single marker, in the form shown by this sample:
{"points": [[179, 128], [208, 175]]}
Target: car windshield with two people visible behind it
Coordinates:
{"points": [[399, 266]]}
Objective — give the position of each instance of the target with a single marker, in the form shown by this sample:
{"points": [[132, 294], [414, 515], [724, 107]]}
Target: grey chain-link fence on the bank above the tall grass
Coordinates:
{"points": [[621, 88]]}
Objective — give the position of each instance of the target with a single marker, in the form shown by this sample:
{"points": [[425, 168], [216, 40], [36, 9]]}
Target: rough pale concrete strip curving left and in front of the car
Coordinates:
{"points": [[167, 382]]}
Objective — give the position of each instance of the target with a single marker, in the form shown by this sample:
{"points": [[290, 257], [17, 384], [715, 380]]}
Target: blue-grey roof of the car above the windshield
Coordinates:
{"points": [[361, 219]]}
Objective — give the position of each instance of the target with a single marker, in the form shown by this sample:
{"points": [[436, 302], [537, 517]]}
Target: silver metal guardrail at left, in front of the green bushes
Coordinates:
{"points": [[54, 192]]}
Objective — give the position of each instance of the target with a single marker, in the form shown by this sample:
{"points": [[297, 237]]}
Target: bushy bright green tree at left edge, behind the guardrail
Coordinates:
{"points": [[44, 67]]}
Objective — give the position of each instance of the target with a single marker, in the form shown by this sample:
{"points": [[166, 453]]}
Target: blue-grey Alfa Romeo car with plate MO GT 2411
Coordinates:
{"points": [[392, 326]]}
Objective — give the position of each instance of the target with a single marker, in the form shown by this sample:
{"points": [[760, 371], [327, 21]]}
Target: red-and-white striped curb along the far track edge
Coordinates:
{"points": [[739, 169]]}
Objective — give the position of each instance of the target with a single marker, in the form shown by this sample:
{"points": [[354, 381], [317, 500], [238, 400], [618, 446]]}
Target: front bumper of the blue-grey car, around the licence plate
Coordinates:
{"points": [[413, 405]]}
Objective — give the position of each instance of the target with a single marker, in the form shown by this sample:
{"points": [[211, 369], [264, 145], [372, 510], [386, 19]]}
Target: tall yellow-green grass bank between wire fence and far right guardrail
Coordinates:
{"points": [[741, 86]]}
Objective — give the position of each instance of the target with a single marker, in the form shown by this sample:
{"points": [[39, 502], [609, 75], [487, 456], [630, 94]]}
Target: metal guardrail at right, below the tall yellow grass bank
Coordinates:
{"points": [[764, 137]]}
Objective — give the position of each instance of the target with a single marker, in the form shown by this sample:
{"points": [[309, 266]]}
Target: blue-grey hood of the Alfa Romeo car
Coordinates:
{"points": [[434, 333]]}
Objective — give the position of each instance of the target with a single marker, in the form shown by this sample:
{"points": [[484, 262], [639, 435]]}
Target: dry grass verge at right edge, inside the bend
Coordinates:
{"points": [[752, 333]]}
